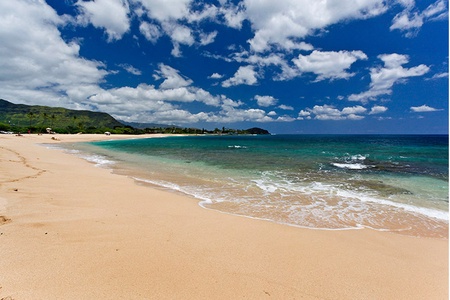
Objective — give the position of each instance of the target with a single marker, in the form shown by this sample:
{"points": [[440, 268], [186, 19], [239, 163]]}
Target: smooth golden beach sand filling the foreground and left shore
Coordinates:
{"points": [[70, 230]]}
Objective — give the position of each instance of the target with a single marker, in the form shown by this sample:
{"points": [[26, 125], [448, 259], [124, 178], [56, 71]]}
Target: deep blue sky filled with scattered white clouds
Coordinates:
{"points": [[288, 66]]}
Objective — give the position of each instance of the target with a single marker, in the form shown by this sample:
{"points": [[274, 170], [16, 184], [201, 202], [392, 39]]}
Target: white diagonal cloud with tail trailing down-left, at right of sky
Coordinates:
{"points": [[383, 78]]}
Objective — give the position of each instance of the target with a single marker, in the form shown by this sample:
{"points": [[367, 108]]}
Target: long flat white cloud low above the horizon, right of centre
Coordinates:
{"points": [[329, 112]]}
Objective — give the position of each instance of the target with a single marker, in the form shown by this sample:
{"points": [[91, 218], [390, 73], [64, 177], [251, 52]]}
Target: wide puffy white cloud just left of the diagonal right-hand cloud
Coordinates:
{"points": [[328, 64]]}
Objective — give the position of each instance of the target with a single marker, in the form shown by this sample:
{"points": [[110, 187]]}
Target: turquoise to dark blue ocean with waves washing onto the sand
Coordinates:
{"points": [[394, 183]]}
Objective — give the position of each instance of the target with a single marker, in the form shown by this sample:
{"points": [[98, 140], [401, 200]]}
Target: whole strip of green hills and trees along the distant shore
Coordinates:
{"points": [[20, 118]]}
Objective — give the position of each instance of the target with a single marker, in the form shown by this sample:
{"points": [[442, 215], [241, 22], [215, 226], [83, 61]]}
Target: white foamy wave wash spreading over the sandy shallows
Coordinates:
{"points": [[330, 206]]}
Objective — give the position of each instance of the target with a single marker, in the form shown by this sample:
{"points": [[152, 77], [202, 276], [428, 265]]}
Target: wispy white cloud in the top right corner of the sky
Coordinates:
{"points": [[410, 21]]}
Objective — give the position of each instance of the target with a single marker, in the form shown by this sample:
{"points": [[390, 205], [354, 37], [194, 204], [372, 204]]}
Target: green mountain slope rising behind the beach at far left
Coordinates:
{"points": [[21, 117]]}
